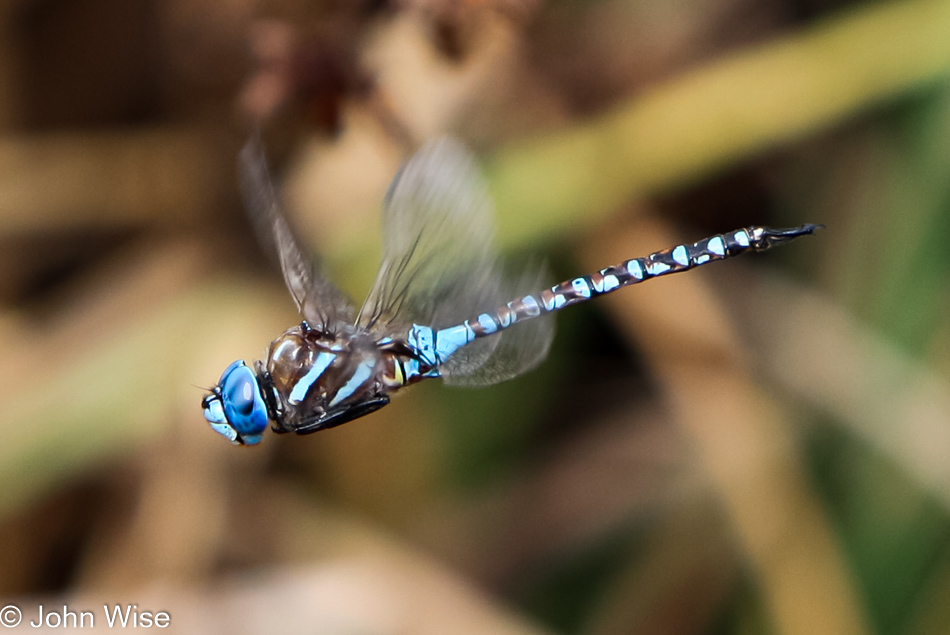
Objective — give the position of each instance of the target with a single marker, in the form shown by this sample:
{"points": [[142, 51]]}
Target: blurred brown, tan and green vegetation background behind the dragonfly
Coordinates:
{"points": [[760, 446]]}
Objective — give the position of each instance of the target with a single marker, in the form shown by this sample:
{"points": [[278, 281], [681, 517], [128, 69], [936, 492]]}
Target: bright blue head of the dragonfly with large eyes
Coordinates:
{"points": [[236, 408]]}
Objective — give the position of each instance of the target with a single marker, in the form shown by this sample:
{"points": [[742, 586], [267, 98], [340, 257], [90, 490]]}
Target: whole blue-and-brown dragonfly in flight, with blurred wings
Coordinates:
{"points": [[442, 305]]}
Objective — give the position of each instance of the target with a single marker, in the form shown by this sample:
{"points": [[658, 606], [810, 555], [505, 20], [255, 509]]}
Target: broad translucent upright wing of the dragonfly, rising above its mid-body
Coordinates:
{"points": [[437, 228]]}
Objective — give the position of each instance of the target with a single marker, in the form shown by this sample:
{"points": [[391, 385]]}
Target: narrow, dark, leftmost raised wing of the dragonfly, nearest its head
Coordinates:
{"points": [[321, 303]]}
